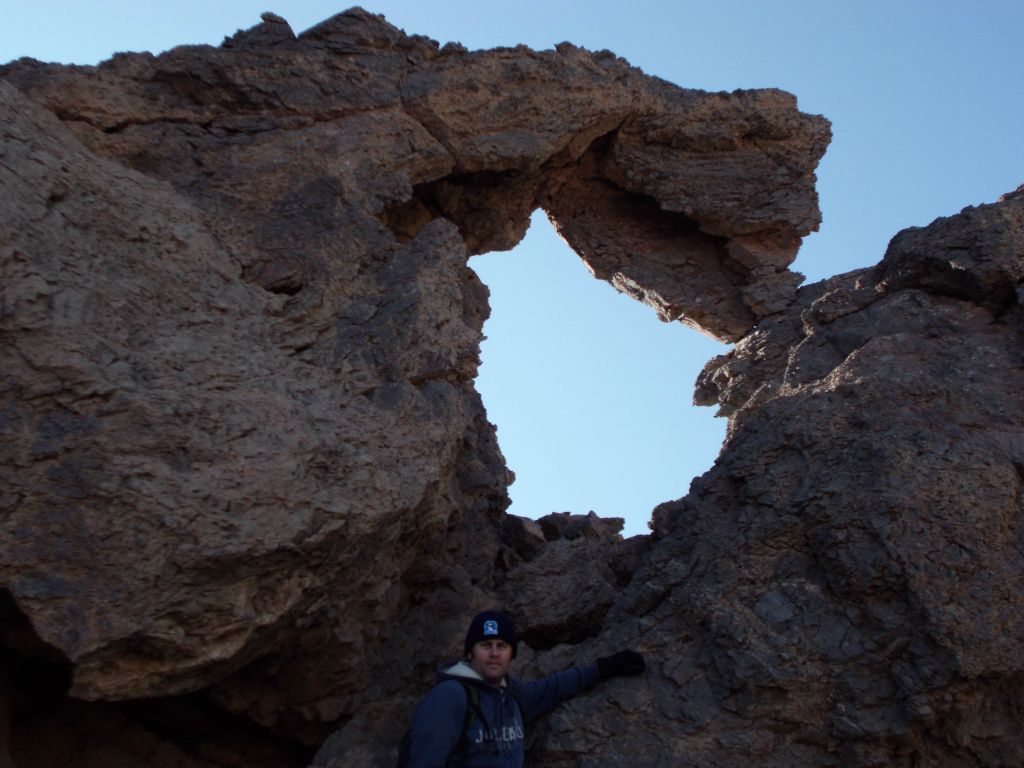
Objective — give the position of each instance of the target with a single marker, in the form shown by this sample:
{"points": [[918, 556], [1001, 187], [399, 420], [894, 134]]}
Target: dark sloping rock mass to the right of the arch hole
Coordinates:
{"points": [[870, 506]]}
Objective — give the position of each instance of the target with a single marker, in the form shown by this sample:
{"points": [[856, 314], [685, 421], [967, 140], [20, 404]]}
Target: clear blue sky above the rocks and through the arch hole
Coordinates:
{"points": [[590, 393]]}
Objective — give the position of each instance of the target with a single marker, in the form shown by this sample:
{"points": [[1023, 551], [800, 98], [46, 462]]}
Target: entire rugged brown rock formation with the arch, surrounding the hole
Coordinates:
{"points": [[246, 473]]}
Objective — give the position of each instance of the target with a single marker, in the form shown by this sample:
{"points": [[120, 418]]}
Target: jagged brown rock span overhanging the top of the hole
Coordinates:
{"points": [[356, 113]]}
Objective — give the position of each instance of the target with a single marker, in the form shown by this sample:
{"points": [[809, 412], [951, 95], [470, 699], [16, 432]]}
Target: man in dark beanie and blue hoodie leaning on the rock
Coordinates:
{"points": [[475, 717]]}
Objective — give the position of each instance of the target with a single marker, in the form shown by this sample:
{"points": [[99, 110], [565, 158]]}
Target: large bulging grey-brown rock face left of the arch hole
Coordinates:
{"points": [[169, 412]]}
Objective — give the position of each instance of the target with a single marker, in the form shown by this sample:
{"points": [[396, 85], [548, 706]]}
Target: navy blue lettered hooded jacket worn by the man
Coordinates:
{"points": [[436, 735]]}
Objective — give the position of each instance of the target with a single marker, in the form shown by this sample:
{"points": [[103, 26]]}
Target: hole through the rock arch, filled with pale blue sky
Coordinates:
{"points": [[590, 394]]}
